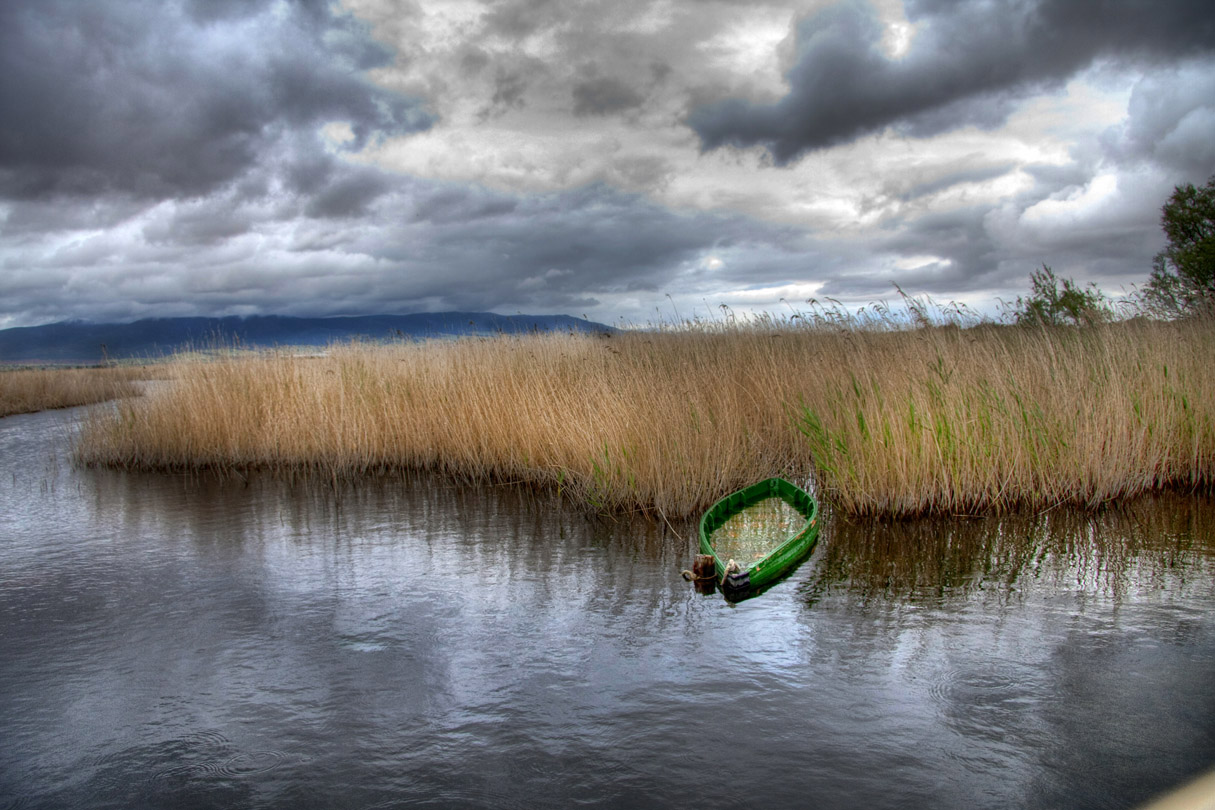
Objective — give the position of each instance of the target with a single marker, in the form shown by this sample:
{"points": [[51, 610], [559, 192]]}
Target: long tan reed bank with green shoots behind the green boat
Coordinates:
{"points": [[888, 422]]}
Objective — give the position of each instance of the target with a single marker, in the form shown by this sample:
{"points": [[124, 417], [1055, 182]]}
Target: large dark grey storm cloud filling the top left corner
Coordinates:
{"points": [[165, 100]]}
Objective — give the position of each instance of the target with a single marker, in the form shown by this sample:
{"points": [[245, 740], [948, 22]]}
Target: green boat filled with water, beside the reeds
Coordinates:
{"points": [[759, 534]]}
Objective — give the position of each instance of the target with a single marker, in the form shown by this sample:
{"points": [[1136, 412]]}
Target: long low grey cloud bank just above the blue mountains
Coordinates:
{"points": [[420, 246]]}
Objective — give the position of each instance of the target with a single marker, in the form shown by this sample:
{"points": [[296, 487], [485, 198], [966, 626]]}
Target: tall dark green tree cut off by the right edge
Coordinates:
{"points": [[1183, 279]]}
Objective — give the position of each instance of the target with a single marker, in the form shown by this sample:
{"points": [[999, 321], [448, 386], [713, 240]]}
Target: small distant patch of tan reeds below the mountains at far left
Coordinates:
{"points": [[31, 390]]}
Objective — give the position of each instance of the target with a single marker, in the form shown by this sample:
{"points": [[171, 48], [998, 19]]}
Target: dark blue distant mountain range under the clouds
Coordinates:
{"points": [[82, 343]]}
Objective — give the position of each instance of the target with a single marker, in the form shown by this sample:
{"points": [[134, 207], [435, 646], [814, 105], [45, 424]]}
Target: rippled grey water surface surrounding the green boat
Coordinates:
{"points": [[183, 642]]}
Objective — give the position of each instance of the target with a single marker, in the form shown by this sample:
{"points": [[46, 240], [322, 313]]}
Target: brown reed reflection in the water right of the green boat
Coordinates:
{"points": [[1155, 542]]}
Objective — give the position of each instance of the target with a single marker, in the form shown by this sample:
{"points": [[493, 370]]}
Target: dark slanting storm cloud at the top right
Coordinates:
{"points": [[969, 65]]}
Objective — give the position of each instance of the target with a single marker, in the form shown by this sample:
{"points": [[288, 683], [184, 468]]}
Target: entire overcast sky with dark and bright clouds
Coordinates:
{"points": [[624, 161]]}
